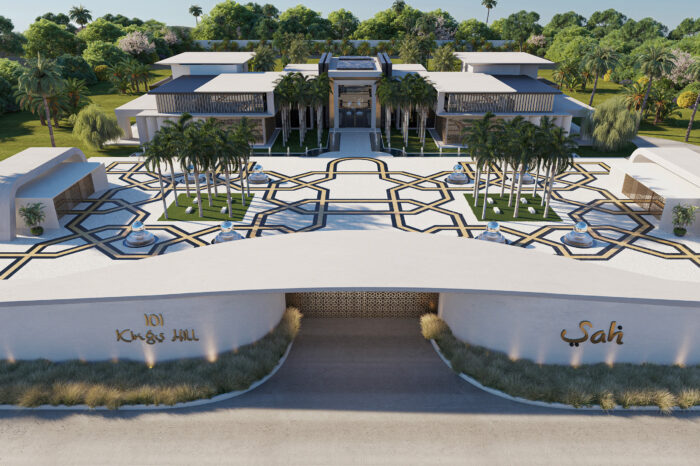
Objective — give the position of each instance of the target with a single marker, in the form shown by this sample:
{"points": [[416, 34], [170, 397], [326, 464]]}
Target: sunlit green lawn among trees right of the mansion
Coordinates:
{"points": [[673, 128]]}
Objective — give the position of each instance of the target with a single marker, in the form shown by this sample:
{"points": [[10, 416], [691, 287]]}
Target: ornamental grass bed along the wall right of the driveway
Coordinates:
{"points": [[586, 385]]}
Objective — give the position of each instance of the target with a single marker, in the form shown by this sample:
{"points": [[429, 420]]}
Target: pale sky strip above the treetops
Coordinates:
{"points": [[174, 12]]}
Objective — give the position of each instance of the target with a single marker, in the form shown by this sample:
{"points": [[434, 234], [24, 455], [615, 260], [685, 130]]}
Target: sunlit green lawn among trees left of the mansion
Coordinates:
{"points": [[21, 130]]}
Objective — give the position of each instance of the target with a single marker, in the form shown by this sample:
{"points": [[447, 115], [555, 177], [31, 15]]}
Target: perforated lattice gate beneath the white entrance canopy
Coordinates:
{"points": [[367, 304]]}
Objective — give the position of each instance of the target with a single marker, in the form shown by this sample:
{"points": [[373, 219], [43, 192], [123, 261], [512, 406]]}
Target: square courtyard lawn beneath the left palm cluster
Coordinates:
{"points": [[210, 213]]}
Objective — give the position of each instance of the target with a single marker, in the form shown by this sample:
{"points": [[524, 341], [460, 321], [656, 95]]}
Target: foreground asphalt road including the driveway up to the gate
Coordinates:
{"points": [[353, 391]]}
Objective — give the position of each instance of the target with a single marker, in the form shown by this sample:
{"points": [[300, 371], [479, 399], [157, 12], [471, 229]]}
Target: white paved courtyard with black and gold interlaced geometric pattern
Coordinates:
{"points": [[352, 193]]}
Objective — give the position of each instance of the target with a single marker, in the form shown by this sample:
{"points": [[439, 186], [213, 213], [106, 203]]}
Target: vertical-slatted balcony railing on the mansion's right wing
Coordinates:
{"points": [[499, 103]]}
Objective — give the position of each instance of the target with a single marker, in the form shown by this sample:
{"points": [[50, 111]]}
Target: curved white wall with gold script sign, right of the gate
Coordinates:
{"points": [[530, 328]]}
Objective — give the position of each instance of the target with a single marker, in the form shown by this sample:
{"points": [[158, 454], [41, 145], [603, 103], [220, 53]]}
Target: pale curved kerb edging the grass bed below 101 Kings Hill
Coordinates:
{"points": [[187, 404]]}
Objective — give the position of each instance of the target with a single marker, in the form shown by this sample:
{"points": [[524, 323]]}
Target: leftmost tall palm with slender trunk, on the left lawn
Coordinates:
{"points": [[41, 78]]}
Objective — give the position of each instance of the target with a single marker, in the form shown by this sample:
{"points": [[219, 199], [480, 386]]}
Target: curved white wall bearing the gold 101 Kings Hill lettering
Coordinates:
{"points": [[88, 330]]}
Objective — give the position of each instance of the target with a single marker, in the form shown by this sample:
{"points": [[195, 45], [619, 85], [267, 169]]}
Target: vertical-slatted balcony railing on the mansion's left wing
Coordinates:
{"points": [[211, 103]]}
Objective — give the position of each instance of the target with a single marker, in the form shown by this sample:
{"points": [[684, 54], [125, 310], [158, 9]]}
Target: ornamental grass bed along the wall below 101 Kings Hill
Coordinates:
{"points": [[114, 384]]}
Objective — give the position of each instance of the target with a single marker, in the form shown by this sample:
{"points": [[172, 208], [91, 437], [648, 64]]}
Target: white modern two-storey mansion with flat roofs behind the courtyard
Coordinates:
{"points": [[218, 84]]}
